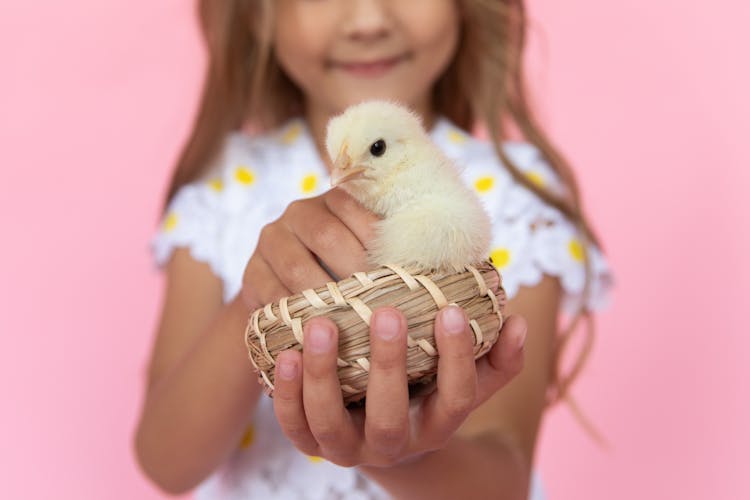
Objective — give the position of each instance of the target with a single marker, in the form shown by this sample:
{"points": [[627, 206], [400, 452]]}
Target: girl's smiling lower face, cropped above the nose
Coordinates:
{"points": [[341, 52]]}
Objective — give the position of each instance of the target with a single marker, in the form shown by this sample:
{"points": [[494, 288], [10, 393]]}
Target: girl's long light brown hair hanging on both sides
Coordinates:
{"points": [[484, 84]]}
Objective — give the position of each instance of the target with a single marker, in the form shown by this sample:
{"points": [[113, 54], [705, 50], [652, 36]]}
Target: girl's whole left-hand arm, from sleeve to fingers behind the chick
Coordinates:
{"points": [[202, 389]]}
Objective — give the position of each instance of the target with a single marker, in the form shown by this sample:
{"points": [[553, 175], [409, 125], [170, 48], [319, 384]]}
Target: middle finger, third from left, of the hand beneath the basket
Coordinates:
{"points": [[387, 401]]}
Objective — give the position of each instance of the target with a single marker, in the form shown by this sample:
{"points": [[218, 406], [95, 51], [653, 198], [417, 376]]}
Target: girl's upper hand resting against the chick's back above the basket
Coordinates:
{"points": [[332, 226]]}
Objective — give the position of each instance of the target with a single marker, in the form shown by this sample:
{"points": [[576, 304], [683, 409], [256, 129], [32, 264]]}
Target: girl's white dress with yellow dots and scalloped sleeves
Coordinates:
{"points": [[219, 218]]}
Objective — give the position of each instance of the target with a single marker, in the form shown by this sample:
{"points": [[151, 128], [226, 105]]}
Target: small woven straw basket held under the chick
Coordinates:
{"points": [[349, 304]]}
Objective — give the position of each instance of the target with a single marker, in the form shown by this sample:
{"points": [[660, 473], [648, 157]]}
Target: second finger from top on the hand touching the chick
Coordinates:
{"points": [[332, 241]]}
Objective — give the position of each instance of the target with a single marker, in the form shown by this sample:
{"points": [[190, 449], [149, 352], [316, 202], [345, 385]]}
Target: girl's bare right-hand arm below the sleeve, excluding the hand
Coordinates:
{"points": [[492, 453]]}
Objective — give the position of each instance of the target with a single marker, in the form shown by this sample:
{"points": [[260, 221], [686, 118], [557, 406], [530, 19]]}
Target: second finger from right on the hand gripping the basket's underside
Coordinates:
{"points": [[446, 408]]}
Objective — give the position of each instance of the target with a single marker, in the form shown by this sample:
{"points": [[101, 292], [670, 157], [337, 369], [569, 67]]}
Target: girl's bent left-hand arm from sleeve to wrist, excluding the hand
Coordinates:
{"points": [[201, 388]]}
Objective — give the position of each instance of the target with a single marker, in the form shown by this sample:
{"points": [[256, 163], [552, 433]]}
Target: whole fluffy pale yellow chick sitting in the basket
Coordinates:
{"points": [[385, 159]]}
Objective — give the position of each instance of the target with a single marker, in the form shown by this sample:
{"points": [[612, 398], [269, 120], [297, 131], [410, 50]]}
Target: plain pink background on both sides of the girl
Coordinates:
{"points": [[647, 98]]}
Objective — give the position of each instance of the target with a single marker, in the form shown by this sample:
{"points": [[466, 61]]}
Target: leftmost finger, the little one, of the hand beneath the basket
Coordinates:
{"points": [[287, 402]]}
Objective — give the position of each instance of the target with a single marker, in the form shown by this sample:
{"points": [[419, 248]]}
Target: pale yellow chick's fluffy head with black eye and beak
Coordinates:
{"points": [[370, 142]]}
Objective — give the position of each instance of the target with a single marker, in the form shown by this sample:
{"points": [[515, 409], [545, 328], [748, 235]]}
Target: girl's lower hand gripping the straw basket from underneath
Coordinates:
{"points": [[391, 428]]}
